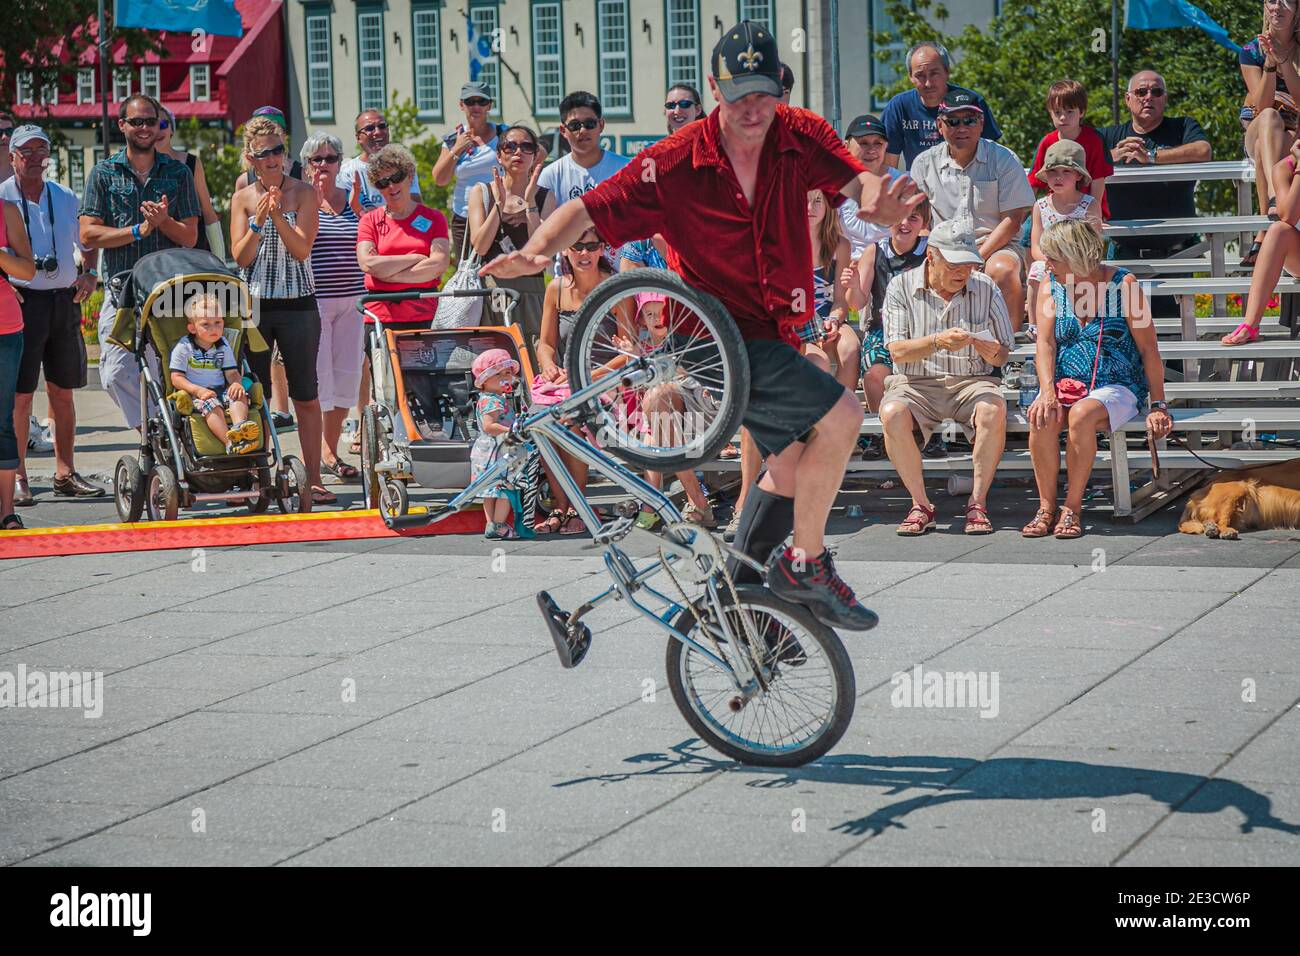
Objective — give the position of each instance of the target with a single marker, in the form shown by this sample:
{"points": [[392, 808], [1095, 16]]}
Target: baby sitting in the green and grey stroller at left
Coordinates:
{"points": [[203, 365]]}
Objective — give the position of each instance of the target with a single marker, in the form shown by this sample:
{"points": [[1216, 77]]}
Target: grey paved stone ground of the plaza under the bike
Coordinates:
{"points": [[1147, 712]]}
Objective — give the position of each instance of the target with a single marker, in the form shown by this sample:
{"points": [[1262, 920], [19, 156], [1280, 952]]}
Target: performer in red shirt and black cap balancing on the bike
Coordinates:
{"points": [[743, 237]]}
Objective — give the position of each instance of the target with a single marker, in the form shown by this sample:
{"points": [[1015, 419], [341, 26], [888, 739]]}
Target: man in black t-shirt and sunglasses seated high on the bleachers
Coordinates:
{"points": [[1146, 140]]}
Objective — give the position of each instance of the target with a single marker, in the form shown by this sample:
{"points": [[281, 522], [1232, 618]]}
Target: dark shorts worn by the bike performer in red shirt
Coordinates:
{"points": [[787, 396]]}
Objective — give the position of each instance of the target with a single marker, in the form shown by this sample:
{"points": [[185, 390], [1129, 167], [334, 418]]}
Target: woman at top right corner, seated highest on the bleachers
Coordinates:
{"points": [[1271, 67]]}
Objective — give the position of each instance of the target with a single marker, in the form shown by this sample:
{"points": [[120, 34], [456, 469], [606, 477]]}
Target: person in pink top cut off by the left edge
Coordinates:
{"points": [[16, 262]]}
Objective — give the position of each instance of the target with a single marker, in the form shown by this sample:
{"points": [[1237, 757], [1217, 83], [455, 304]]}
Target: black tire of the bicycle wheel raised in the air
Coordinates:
{"points": [[726, 390]]}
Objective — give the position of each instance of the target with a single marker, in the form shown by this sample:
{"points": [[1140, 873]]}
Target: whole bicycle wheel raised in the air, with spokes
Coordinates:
{"points": [[678, 386]]}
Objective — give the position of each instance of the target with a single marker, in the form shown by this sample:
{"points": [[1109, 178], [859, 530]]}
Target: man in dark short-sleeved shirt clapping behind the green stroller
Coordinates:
{"points": [[136, 202]]}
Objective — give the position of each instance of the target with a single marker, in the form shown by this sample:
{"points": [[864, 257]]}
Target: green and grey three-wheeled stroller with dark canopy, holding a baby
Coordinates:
{"points": [[180, 461]]}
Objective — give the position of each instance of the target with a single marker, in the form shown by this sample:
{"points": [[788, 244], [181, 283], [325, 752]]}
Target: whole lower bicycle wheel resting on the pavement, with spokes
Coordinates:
{"points": [[809, 699]]}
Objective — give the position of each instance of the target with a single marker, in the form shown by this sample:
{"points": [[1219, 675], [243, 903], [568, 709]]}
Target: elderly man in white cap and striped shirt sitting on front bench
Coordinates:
{"points": [[947, 330]]}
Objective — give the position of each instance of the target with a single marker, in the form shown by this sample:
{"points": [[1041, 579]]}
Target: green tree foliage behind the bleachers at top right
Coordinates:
{"points": [[1033, 44]]}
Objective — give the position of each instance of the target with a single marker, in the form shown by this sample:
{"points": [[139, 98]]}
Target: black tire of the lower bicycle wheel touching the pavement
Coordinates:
{"points": [[809, 630]]}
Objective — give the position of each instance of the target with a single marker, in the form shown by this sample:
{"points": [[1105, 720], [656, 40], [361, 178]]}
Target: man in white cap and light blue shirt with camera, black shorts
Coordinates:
{"points": [[51, 309]]}
